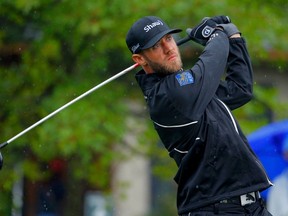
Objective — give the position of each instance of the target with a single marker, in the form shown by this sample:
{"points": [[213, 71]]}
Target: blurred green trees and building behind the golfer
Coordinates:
{"points": [[101, 156]]}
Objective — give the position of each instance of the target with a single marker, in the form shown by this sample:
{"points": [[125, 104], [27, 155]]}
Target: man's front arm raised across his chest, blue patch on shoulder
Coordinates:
{"points": [[187, 93]]}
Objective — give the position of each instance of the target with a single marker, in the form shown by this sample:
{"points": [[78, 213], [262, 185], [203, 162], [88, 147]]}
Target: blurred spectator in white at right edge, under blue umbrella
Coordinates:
{"points": [[277, 198]]}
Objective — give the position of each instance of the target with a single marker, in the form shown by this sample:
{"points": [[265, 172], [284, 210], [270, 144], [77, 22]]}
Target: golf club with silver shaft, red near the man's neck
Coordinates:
{"points": [[2, 145]]}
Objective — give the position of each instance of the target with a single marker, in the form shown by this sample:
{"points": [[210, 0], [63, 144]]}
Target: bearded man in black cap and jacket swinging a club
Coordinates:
{"points": [[218, 174]]}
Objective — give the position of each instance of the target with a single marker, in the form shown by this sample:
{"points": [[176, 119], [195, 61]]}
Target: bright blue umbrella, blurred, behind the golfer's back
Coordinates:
{"points": [[267, 143]]}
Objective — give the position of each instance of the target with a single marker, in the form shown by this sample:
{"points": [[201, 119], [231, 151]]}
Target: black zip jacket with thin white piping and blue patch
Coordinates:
{"points": [[191, 113]]}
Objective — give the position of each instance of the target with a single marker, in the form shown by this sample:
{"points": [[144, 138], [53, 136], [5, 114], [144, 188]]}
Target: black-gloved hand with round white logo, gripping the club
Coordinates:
{"points": [[202, 32]]}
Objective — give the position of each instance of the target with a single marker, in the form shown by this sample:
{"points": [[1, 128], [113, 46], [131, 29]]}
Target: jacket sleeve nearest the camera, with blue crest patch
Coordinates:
{"points": [[206, 74]]}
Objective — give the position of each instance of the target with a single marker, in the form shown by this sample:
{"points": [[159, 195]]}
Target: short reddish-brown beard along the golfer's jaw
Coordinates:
{"points": [[165, 69]]}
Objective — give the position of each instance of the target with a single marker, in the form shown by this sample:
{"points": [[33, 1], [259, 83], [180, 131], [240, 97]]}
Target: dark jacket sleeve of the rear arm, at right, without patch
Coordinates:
{"points": [[236, 89]]}
